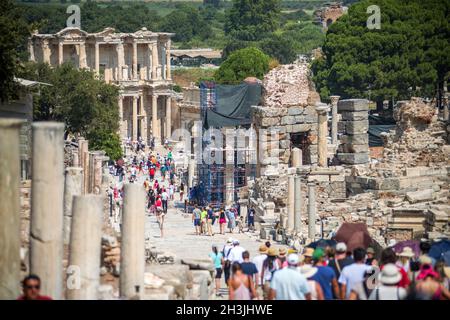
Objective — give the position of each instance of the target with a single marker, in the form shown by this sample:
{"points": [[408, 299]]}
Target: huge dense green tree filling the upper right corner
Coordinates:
{"points": [[407, 56]]}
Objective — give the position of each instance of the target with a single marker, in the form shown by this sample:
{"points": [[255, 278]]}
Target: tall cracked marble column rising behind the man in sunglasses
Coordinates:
{"points": [[47, 206]]}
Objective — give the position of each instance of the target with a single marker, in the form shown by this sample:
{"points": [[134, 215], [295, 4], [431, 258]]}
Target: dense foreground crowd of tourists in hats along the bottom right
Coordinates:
{"points": [[330, 273]]}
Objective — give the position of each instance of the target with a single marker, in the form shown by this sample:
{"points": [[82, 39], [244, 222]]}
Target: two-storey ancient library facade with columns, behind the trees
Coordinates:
{"points": [[139, 63]]}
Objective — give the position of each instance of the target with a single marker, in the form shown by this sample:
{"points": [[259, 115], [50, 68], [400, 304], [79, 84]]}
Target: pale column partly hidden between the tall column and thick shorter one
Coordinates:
{"points": [[73, 186]]}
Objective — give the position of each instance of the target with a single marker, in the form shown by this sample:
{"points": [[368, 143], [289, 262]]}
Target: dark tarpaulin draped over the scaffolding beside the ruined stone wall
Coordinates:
{"points": [[233, 104]]}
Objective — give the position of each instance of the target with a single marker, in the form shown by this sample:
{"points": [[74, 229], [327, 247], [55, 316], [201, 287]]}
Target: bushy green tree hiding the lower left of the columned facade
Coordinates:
{"points": [[86, 105]]}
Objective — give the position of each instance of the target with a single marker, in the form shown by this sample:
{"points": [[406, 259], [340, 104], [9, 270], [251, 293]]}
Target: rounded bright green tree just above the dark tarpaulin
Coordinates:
{"points": [[248, 62]]}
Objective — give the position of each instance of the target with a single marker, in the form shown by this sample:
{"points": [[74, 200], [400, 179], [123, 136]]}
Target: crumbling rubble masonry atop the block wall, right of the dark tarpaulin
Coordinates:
{"points": [[287, 85]]}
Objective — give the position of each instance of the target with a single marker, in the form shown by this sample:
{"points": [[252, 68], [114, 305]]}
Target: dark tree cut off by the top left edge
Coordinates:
{"points": [[13, 34]]}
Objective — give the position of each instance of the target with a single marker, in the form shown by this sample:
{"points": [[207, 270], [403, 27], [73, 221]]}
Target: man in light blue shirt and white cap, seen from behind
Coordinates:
{"points": [[288, 283]]}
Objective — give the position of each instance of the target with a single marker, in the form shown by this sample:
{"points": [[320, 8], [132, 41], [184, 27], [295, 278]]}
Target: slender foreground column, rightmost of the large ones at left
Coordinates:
{"points": [[132, 254]]}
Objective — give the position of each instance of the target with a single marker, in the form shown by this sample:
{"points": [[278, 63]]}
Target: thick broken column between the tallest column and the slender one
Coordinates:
{"points": [[85, 247]]}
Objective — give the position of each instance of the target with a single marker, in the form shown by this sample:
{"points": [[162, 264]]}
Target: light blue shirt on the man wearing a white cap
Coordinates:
{"points": [[289, 284]]}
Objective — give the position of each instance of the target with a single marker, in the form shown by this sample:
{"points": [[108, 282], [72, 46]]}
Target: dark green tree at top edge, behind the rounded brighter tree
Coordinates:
{"points": [[251, 20]]}
